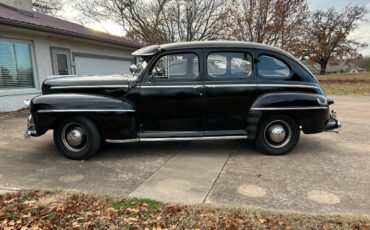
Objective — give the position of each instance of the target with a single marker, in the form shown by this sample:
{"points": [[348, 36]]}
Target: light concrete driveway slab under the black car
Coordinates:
{"points": [[327, 173]]}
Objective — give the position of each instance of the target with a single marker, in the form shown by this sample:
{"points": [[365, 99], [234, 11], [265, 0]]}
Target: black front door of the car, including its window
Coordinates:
{"points": [[171, 96]]}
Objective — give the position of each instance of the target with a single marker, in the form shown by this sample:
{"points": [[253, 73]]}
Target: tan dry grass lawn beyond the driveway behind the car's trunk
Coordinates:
{"points": [[346, 84]]}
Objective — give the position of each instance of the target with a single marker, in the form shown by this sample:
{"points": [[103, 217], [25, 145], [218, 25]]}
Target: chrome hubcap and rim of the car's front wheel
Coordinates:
{"points": [[74, 137]]}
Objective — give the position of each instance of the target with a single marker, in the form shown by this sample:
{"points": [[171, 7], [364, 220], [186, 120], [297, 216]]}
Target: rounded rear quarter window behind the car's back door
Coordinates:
{"points": [[270, 67]]}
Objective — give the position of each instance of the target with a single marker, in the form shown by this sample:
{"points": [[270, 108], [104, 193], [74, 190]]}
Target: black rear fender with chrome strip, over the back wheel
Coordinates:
{"points": [[311, 111]]}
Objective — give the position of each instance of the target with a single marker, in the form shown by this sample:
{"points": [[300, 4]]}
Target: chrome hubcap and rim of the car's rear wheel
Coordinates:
{"points": [[277, 134]]}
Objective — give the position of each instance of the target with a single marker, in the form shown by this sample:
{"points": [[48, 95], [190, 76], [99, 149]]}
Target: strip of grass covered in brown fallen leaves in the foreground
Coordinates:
{"points": [[57, 210]]}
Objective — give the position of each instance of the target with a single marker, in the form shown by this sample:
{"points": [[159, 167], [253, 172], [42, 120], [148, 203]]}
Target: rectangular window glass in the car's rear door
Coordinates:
{"points": [[229, 65]]}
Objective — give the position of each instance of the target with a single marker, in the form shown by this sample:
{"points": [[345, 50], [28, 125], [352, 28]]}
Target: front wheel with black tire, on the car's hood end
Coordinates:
{"points": [[78, 138]]}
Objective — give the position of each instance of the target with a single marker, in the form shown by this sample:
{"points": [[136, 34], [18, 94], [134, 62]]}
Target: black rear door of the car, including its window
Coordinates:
{"points": [[230, 90]]}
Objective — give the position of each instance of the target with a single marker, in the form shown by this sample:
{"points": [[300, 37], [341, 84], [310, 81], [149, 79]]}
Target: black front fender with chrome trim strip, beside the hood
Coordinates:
{"points": [[115, 118]]}
